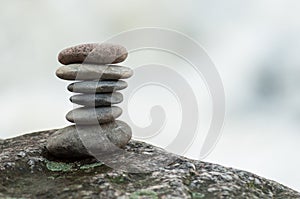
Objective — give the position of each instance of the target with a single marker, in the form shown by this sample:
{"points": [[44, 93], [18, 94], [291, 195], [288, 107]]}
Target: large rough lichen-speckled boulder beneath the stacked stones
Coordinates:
{"points": [[28, 171]]}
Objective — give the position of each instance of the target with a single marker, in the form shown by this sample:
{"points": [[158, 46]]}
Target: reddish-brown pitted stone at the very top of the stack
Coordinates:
{"points": [[104, 53]]}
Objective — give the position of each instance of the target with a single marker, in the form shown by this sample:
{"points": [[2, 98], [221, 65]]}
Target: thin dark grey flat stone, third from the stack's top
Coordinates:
{"points": [[97, 86]]}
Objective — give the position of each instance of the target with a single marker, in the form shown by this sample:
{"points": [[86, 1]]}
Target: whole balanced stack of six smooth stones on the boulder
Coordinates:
{"points": [[98, 79]]}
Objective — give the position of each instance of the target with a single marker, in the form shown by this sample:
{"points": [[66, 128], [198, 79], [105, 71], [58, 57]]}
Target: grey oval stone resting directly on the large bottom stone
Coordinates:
{"points": [[86, 115]]}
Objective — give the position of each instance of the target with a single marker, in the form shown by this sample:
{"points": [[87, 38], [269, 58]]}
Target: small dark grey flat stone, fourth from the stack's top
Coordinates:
{"points": [[95, 100]]}
